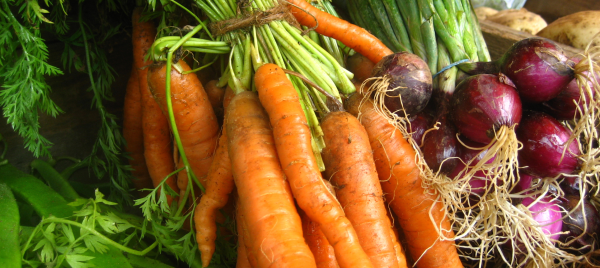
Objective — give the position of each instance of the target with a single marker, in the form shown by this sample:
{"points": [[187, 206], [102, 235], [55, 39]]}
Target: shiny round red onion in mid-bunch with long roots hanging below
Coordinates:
{"points": [[482, 103]]}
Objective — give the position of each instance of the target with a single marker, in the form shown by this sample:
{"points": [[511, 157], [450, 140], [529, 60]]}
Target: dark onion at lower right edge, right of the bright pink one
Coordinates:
{"points": [[574, 224]]}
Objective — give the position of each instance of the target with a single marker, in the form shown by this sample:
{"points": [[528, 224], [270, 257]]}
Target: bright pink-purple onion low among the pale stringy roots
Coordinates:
{"points": [[547, 213]]}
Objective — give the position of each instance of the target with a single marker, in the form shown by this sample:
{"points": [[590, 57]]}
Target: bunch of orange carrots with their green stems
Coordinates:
{"points": [[252, 147]]}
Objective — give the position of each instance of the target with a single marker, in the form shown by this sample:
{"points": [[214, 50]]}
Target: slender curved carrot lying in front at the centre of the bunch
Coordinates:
{"points": [[292, 140]]}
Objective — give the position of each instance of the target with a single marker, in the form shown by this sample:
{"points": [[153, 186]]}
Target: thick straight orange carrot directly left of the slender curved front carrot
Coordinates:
{"points": [[274, 227]]}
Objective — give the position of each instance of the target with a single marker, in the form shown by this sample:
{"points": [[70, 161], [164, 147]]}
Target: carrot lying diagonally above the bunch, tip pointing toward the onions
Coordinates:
{"points": [[349, 34]]}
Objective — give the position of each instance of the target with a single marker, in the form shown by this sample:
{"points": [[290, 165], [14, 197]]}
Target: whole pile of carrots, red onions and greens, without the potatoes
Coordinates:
{"points": [[302, 134]]}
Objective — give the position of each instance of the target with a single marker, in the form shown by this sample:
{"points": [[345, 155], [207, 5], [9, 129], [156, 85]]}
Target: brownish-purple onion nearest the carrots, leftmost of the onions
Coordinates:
{"points": [[411, 81]]}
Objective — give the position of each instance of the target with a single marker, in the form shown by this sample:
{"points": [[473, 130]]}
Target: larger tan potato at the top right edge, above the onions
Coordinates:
{"points": [[576, 30]]}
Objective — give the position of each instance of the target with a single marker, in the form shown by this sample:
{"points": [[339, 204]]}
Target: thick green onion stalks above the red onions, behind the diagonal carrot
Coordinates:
{"points": [[417, 26]]}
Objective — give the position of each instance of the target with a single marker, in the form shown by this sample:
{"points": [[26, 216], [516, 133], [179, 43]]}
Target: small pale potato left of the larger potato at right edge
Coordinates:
{"points": [[520, 20]]}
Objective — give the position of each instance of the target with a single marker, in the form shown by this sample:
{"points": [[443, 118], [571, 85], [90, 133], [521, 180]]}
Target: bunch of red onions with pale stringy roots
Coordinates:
{"points": [[525, 113]]}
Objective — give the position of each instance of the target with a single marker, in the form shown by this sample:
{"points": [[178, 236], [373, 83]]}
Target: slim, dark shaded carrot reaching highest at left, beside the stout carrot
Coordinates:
{"points": [[157, 139]]}
